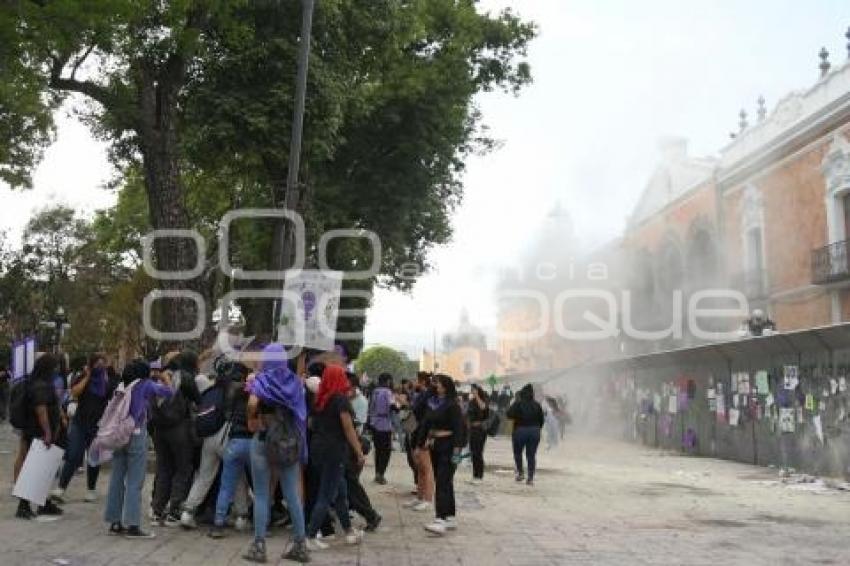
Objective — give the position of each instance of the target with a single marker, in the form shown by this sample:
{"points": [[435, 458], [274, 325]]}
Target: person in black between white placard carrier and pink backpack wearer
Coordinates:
{"points": [[91, 388]]}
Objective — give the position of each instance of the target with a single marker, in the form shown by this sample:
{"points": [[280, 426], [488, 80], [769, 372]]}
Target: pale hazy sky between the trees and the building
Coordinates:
{"points": [[610, 78]]}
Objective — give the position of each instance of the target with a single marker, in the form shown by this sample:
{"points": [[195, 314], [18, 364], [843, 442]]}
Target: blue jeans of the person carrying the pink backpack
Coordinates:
{"points": [[124, 502]]}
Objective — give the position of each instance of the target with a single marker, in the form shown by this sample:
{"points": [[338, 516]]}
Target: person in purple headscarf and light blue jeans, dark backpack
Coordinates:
{"points": [[276, 393]]}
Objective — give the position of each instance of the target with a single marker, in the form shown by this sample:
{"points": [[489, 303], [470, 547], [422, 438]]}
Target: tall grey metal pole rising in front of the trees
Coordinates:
{"points": [[283, 238]]}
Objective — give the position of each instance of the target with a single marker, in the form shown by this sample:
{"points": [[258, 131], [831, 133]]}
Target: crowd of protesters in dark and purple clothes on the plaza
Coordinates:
{"points": [[259, 439]]}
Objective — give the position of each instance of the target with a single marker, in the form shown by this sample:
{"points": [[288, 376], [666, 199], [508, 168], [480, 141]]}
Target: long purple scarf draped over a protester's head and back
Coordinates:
{"points": [[278, 386]]}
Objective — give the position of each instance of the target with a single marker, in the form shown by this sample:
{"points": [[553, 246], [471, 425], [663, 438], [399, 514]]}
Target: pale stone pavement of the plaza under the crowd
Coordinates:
{"points": [[595, 502]]}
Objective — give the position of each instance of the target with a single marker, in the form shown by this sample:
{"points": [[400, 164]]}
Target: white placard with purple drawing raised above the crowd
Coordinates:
{"points": [[310, 309]]}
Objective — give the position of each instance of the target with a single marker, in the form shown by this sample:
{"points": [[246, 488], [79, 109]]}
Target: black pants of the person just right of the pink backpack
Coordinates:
{"points": [[174, 452]]}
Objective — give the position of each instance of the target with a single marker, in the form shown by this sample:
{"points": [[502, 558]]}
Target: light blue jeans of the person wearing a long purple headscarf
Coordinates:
{"points": [[290, 479]]}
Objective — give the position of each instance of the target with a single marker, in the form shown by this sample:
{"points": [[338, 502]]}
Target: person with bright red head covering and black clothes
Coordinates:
{"points": [[333, 436]]}
